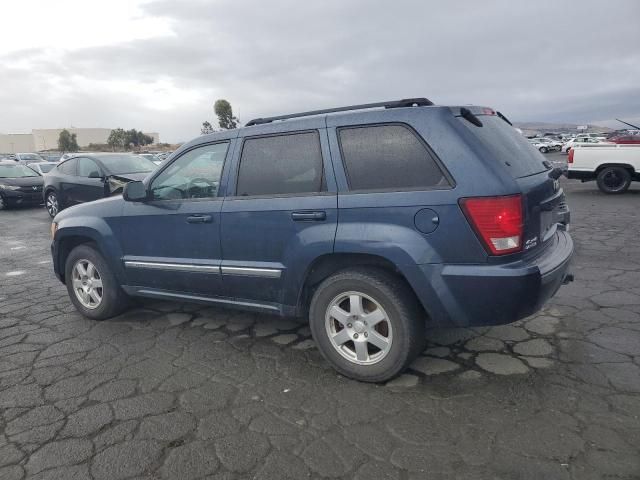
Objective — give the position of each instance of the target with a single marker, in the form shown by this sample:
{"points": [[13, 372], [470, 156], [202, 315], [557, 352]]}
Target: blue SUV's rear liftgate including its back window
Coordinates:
{"points": [[502, 147]]}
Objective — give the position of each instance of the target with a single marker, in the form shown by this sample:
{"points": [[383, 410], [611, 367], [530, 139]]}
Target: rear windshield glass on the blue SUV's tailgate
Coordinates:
{"points": [[507, 146]]}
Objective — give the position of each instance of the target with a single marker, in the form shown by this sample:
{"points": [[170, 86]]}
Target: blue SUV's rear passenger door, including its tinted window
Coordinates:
{"points": [[280, 214]]}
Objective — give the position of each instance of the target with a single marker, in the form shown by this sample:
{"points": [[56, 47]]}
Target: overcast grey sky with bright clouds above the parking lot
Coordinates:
{"points": [[159, 65]]}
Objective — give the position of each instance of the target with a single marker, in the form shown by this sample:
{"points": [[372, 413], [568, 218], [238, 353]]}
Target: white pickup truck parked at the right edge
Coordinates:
{"points": [[613, 167]]}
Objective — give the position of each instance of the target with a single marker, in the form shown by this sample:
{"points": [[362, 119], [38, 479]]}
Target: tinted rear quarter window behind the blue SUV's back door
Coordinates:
{"points": [[388, 157]]}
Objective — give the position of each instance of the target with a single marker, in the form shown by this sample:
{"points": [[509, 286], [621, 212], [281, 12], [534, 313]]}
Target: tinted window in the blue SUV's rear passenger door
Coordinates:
{"points": [[281, 165]]}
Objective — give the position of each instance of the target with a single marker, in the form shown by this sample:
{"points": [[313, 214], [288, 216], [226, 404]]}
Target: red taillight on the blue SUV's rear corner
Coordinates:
{"points": [[497, 221]]}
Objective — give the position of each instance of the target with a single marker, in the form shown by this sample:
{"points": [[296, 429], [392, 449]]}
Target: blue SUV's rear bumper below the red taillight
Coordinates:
{"points": [[474, 295]]}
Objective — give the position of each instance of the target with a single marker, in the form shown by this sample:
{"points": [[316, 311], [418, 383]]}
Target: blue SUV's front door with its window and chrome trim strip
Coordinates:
{"points": [[172, 241]]}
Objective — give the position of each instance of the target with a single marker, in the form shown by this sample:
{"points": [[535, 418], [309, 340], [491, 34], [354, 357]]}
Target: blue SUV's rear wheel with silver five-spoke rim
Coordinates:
{"points": [[403, 326]]}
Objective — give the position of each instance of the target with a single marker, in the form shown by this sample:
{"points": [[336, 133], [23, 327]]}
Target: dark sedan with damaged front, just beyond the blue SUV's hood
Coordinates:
{"points": [[84, 178]]}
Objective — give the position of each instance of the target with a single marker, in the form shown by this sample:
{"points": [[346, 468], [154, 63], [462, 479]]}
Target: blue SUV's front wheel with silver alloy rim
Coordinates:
{"points": [[112, 299]]}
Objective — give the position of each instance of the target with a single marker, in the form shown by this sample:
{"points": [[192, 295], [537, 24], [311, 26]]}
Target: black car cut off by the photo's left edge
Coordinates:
{"points": [[19, 185]]}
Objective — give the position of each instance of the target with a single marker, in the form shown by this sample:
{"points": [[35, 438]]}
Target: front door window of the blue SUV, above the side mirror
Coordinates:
{"points": [[196, 174]]}
